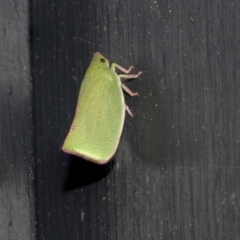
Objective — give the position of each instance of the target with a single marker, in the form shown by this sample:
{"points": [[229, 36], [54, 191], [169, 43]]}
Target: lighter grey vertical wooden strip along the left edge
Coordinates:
{"points": [[17, 207]]}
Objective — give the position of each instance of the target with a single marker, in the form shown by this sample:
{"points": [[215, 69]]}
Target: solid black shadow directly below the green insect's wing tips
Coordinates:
{"points": [[82, 173]]}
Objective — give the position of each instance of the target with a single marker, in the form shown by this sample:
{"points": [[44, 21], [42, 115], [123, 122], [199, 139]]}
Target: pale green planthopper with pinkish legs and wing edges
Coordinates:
{"points": [[97, 126]]}
